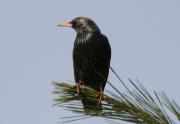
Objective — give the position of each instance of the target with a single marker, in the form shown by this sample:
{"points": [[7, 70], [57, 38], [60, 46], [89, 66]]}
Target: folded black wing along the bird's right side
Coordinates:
{"points": [[102, 57]]}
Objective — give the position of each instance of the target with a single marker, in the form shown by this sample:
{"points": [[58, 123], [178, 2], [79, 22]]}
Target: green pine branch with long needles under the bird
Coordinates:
{"points": [[136, 105]]}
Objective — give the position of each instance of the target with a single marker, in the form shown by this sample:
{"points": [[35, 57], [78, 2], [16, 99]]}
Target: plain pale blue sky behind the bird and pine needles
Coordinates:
{"points": [[144, 36]]}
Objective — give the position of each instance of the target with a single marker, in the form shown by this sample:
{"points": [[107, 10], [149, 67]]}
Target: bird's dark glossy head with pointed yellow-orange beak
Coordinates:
{"points": [[81, 24]]}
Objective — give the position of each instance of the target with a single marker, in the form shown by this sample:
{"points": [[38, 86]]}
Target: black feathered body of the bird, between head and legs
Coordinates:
{"points": [[91, 58]]}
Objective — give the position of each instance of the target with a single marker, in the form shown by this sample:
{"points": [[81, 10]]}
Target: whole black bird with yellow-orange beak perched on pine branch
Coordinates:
{"points": [[91, 57]]}
